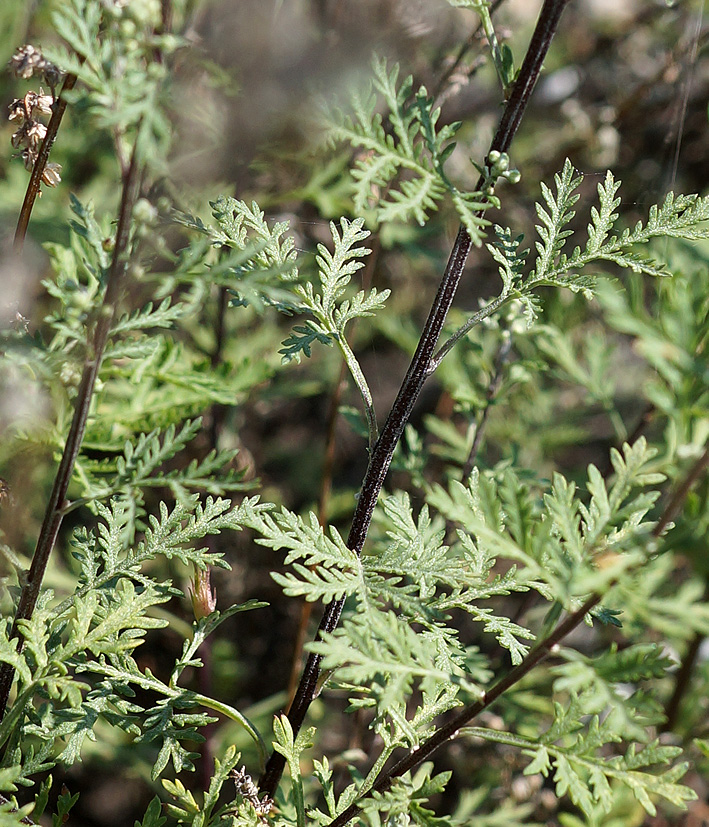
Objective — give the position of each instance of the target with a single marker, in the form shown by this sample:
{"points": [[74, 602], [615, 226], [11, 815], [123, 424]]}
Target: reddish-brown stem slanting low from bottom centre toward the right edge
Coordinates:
{"points": [[534, 658]]}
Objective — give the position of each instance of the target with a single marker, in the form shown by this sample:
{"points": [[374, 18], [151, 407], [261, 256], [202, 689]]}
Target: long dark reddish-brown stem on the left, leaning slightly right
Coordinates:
{"points": [[55, 509]]}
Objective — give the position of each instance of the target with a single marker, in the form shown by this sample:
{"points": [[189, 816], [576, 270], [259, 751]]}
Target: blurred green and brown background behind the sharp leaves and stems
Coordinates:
{"points": [[625, 87]]}
